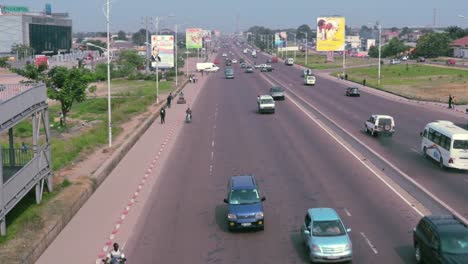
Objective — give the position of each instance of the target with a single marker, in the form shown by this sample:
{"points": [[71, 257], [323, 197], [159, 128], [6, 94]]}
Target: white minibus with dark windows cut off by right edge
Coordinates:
{"points": [[446, 143]]}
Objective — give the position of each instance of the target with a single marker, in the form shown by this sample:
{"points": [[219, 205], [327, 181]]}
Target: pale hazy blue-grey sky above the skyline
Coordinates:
{"points": [[127, 15]]}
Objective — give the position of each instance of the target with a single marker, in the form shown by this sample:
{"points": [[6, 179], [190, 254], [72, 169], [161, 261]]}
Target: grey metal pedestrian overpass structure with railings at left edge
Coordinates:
{"points": [[22, 168]]}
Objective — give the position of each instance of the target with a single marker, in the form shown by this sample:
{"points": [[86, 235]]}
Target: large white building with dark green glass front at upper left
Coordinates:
{"points": [[45, 32]]}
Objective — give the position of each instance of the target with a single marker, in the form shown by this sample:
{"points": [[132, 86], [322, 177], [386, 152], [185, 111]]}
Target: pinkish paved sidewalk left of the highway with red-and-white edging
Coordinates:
{"points": [[111, 212]]}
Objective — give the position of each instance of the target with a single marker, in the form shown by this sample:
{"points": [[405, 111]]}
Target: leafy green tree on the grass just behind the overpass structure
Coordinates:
{"points": [[67, 86]]}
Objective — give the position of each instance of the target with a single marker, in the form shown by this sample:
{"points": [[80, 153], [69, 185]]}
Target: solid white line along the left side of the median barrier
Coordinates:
{"points": [[323, 127]]}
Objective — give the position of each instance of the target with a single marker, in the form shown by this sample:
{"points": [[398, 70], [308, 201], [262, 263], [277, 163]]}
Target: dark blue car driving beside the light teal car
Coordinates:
{"points": [[245, 205]]}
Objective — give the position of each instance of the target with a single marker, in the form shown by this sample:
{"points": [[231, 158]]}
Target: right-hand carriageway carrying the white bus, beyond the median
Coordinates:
{"points": [[403, 149]]}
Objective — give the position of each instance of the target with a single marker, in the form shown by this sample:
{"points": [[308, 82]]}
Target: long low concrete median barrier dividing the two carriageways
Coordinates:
{"points": [[406, 176]]}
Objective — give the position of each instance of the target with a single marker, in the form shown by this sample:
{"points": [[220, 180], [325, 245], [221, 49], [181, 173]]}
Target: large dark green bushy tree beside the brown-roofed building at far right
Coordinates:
{"points": [[433, 45]]}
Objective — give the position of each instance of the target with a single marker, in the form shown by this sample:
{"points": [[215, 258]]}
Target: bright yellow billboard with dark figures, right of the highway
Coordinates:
{"points": [[330, 33]]}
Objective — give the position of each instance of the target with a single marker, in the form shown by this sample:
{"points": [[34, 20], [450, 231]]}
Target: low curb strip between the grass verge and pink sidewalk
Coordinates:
{"points": [[99, 175]]}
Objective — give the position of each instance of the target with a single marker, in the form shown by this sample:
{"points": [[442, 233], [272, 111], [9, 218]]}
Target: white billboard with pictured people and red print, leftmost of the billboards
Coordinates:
{"points": [[162, 51]]}
